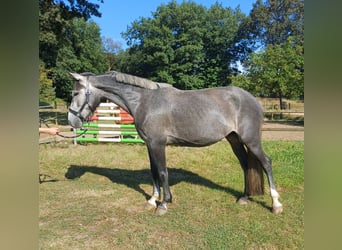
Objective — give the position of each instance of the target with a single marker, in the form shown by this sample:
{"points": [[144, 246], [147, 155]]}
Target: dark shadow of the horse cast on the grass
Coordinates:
{"points": [[133, 178]]}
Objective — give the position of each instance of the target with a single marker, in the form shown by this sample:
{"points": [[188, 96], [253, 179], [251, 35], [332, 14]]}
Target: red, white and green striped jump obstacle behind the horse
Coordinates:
{"points": [[110, 123]]}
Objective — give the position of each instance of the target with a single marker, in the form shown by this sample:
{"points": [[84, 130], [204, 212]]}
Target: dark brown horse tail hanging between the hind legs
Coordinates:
{"points": [[255, 176]]}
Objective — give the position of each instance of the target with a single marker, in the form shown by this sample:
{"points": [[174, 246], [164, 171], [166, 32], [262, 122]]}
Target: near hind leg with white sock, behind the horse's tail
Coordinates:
{"points": [[256, 148]]}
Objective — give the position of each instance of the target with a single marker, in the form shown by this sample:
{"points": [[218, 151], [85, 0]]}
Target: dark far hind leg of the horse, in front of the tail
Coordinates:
{"points": [[240, 152]]}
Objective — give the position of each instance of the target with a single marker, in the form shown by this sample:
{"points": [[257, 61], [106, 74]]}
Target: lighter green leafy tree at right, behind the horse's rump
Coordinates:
{"points": [[278, 72]]}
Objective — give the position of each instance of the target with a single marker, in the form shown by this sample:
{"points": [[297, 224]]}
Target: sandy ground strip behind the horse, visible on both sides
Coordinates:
{"points": [[270, 132]]}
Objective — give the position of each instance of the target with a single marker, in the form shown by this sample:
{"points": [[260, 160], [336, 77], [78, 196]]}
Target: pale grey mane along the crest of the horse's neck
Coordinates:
{"points": [[137, 81]]}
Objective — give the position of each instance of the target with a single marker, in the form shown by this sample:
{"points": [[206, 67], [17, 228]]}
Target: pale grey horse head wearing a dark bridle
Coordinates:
{"points": [[83, 102]]}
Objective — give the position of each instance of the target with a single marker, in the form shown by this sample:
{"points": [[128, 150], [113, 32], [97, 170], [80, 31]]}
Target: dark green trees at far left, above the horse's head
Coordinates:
{"points": [[68, 42]]}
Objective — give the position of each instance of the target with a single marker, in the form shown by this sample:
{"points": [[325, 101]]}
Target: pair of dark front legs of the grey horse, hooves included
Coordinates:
{"points": [[160, 176]]}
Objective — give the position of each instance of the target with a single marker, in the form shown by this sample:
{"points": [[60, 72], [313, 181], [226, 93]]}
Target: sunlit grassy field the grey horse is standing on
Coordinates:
{"points": [[101, 206]]}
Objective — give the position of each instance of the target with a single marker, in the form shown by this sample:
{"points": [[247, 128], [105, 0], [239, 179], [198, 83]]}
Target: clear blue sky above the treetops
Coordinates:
{"points": [[117, 15]]}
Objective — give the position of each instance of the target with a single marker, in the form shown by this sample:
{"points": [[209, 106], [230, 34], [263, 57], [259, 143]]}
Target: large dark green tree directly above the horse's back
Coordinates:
{"points": [[184, 44]]}
